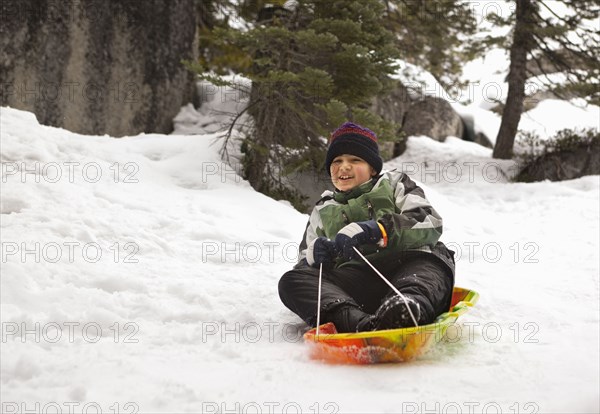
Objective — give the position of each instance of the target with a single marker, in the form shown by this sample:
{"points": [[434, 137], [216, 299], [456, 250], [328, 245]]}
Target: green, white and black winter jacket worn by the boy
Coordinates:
{"points": [[391, 198]]}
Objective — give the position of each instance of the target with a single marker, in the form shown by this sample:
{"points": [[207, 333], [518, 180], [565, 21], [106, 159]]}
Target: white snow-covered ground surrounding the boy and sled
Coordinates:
{"points": [[140, 275]]}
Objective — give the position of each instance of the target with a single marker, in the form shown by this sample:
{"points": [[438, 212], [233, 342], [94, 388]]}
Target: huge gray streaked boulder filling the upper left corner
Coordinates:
{"points": [[98, 67]]}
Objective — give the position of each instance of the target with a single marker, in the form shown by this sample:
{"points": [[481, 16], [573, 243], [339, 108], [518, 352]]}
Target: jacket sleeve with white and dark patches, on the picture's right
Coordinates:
{"points": [[416, 223]]}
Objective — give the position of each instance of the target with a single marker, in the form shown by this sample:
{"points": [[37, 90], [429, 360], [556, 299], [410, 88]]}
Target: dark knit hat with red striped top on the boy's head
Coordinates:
{"points": [[353, 139]]}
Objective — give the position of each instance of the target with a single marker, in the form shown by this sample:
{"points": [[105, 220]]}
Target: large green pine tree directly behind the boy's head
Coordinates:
{"points": [[312, 67]]}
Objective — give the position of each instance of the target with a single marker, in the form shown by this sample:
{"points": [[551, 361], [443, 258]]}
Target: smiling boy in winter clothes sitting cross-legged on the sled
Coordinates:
{"points": [[387, 217]]}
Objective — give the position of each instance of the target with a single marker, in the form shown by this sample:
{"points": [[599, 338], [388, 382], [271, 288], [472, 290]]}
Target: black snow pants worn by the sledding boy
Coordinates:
{"points": [[426, 278]]}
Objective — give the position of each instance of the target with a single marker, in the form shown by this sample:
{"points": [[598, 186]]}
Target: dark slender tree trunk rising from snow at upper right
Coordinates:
{"points": [[522, 44]]}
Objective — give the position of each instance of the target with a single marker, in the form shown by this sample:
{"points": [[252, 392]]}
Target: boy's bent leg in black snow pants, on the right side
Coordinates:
{"points": [[428, 281]]}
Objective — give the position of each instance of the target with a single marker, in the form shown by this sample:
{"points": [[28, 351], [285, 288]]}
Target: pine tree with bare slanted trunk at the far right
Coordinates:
{"points": [[558, 43]]}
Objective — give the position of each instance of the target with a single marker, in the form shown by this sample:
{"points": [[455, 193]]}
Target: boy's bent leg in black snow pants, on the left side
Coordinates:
{"points": [[344, 292]]}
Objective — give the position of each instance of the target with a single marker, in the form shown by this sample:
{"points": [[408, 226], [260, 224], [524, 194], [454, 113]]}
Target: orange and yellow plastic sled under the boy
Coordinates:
{"points": [[391, 345]]}
